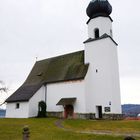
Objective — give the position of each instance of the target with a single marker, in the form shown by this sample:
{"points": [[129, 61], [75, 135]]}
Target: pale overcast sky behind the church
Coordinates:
{"points": [[46, 28]]}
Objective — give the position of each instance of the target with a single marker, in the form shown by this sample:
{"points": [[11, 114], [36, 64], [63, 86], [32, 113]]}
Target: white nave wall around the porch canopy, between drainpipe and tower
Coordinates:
{"points": [[70, 89]]}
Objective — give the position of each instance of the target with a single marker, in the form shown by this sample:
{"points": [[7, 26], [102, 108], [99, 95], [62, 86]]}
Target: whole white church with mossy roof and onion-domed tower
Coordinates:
{"points": [[83, 84]]}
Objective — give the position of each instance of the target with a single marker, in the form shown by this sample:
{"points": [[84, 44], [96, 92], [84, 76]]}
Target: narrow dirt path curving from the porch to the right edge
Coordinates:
{"points": [[59, 124]]}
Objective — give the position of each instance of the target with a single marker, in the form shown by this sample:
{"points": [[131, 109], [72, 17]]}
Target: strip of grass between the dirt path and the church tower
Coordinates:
{"points": [[123, 126]]}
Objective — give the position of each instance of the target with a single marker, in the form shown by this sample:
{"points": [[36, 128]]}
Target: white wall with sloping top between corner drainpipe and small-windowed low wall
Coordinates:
{"points": [[33, 102]]}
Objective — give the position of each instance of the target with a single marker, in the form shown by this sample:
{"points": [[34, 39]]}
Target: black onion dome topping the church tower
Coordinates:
{"points": [[99, 8]]}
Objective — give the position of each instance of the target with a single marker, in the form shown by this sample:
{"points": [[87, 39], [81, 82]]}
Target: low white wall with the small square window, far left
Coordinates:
{"points": [[21, 112]]}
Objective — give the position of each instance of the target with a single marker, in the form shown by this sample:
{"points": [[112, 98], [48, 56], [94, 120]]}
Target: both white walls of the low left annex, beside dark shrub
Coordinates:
{"points": [[26, 109]]}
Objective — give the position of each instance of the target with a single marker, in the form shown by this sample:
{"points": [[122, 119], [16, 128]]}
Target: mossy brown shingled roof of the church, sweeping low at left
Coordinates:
{"points": [[57, 69]]}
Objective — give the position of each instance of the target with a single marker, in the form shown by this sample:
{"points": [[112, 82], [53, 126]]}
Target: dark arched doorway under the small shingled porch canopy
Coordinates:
{"points": [[68, 111]]}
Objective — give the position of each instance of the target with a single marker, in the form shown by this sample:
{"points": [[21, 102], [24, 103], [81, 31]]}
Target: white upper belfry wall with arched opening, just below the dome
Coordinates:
{"points": [[104, 24]]}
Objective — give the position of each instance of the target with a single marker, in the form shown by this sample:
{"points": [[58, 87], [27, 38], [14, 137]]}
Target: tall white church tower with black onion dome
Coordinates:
{"points": [[102, 80]]}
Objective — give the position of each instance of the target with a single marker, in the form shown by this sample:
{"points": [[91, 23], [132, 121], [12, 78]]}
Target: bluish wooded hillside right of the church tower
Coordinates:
{"points": [[131, 110]]}
